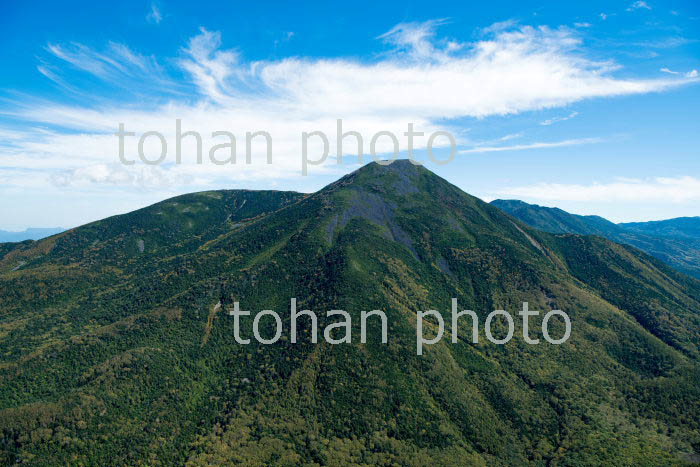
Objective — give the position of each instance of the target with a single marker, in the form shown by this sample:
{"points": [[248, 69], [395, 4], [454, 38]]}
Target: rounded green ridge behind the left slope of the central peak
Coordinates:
{"points": [[171, 227]]}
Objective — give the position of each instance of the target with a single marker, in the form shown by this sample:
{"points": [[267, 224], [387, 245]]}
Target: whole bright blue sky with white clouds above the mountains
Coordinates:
{"points": [[588, 106]]}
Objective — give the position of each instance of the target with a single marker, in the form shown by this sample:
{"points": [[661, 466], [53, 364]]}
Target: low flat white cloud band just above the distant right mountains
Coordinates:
{"points": [[662, 189]]}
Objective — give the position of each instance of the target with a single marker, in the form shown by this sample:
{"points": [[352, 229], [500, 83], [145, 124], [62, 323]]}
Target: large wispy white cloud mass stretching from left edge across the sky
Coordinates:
{"points": [[425, 80]]}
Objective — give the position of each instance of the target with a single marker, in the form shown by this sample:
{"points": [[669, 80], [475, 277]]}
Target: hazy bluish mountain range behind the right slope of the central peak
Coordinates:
{"points": [[674, 241]]}
